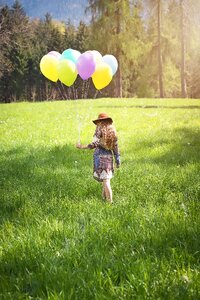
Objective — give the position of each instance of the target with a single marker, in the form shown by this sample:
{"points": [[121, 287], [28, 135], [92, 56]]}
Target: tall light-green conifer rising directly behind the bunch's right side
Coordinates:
{"points": [[117, 29]]}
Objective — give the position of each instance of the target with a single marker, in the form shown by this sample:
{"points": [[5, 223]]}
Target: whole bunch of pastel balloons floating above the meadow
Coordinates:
{"points": [[66, 66]]}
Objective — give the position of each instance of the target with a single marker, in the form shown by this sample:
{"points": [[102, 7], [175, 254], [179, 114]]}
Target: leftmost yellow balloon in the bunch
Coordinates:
{"points": [[48, 67]]}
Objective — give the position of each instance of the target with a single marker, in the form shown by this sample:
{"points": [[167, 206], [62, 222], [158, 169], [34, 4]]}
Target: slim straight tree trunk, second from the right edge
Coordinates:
{"points": [[160, 64]]}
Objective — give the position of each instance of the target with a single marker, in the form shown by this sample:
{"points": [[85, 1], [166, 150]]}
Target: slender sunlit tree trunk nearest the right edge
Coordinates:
{"points": [[183, 80]]}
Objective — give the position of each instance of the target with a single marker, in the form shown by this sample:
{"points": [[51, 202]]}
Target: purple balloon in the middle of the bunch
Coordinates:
{"points": [[86, 65]]}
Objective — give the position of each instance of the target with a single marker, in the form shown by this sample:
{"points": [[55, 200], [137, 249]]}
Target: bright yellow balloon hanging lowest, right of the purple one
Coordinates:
{"points": [[102, 76]]}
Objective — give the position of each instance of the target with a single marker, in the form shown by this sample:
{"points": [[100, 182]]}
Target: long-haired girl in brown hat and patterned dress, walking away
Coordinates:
{"points": [[106, 146]]}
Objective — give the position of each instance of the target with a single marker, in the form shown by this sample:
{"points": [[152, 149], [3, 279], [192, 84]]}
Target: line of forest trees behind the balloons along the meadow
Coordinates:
{"points": [[156, 42]]}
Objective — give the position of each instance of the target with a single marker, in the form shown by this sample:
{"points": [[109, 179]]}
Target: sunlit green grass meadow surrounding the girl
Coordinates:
{"points": [[59, 240]]}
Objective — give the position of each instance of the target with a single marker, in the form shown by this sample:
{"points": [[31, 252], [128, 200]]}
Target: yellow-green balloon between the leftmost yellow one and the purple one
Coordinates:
{"points": [[67, 72]]}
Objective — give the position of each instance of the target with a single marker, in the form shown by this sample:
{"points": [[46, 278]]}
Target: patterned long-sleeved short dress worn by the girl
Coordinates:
{"points": [[103, 158]]}
